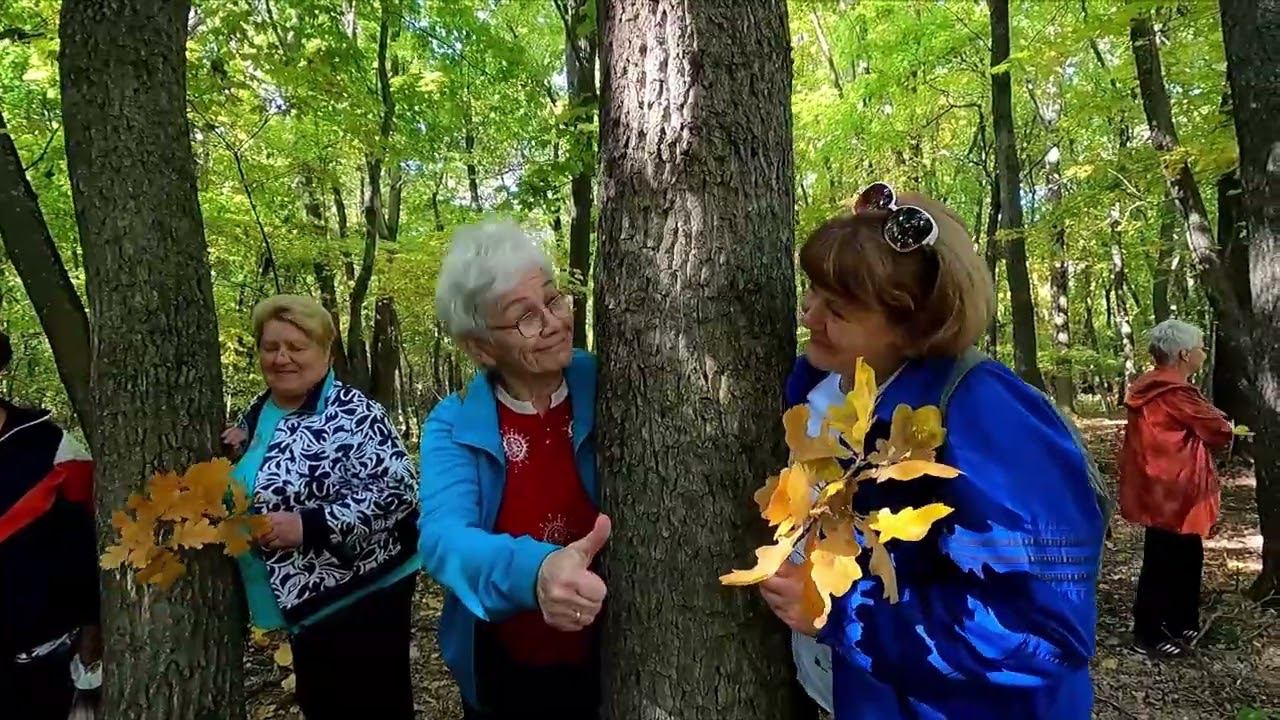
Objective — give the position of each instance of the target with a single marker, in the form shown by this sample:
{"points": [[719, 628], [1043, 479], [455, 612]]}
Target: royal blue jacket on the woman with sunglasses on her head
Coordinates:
{"points": [[996, 614]]}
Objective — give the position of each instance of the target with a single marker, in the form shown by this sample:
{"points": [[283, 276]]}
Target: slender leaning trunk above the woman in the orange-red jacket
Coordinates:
{"points": [[1182, 183]]}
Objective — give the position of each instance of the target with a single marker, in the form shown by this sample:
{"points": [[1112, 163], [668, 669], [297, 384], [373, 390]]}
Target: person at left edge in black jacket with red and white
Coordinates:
{"points": [[49, 603]]}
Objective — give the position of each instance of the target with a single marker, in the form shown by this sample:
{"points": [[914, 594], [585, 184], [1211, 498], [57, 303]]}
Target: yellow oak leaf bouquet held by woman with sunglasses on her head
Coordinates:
{"points": [[811, 504]]}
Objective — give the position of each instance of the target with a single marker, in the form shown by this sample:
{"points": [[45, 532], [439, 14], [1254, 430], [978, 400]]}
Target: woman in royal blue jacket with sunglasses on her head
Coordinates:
{"points": [[996, 613]]}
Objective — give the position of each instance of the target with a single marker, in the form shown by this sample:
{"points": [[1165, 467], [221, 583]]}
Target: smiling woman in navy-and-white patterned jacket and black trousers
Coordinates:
{"points": [[339, 566]]}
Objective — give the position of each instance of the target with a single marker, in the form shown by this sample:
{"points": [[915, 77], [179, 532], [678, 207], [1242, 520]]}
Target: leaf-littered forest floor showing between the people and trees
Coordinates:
{"points": [[1235, 675]]}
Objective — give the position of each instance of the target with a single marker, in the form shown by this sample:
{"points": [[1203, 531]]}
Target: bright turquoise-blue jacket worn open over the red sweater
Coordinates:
{"points": [[487, 577]]}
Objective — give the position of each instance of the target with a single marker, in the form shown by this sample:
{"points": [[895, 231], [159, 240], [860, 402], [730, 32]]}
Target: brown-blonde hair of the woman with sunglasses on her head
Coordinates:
{"points": [[940, 297]]}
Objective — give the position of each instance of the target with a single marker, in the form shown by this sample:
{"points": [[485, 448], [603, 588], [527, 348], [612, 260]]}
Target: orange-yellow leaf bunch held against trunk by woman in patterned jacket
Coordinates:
{"points": [[177, 512]]}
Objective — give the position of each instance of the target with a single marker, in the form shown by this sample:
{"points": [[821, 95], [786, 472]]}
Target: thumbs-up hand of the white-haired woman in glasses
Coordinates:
{"points": [[569, 594]]}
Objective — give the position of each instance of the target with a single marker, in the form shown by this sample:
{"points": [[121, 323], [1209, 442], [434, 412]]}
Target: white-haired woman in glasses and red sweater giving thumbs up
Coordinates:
{"points": [[510, 523]]}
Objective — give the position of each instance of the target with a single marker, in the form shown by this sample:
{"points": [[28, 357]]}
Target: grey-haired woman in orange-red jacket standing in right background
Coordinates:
{"points": [[1168, 484]]}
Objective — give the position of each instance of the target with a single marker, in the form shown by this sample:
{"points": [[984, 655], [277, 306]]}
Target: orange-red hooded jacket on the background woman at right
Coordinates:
{"points": [[1167, 467]]}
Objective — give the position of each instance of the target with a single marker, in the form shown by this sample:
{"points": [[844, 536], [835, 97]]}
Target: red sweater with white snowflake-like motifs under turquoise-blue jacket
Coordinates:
{"points": [[543, 499]]}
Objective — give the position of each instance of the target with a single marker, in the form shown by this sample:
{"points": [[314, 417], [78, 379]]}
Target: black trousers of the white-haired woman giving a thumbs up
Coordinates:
{"points": [[519, 692]]}
